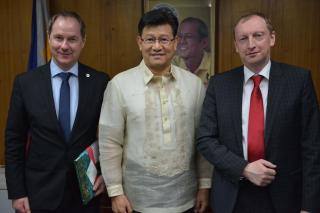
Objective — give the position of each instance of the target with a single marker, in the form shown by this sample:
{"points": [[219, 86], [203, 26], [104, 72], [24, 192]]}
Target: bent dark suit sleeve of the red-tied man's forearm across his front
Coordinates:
{"points": [[217, 153]]}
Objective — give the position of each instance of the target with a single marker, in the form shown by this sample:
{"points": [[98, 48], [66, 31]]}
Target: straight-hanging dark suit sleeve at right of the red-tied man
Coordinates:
{"points": [[310, 143]]}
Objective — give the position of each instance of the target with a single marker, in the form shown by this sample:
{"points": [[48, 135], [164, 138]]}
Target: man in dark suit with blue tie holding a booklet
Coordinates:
{"points": [[41, 177]]}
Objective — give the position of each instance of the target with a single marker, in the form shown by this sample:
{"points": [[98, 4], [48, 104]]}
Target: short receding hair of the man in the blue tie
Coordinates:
{"points": [[69, 14]]}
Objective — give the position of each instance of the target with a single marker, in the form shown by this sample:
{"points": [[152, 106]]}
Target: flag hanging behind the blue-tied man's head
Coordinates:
{"points": [[39, 51]]}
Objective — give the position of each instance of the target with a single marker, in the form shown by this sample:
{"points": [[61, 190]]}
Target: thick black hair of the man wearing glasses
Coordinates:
{"points": [[158, 17]]}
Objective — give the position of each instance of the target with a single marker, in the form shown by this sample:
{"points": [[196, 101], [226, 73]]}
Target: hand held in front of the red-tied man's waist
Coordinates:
{"points": [[260, 172]]}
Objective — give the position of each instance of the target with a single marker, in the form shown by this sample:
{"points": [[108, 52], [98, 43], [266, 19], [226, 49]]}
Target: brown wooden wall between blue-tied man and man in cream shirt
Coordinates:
{"points": [[111, 32]]}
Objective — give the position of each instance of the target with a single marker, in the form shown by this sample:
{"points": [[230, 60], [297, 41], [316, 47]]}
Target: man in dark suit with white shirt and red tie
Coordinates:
{"points": [[260, 129]]}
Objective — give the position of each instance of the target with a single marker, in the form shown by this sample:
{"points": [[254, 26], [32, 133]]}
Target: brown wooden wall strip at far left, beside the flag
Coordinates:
{"points": [[15, 19]]}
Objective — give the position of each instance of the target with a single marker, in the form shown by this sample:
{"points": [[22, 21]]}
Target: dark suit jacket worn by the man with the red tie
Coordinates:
{"points": [[292, 138]]}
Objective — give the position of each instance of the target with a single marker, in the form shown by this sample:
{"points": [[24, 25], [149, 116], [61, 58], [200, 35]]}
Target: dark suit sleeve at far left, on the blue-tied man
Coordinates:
{"points": [[15, 143]]}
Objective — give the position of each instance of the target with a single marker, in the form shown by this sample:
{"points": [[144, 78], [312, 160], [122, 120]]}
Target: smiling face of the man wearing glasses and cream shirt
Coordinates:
{"points": [[157, 56]]}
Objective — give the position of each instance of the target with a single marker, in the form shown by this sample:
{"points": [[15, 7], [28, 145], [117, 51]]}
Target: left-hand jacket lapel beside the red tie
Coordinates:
{"points": [[236, 92]]}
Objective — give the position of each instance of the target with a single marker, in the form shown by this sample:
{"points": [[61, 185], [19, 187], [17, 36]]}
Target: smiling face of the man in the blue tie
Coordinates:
{"points": [[66, 42]]}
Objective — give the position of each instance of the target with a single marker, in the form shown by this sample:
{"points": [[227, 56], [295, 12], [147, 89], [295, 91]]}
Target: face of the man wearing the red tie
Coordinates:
{"points": [[253, 42]]}
